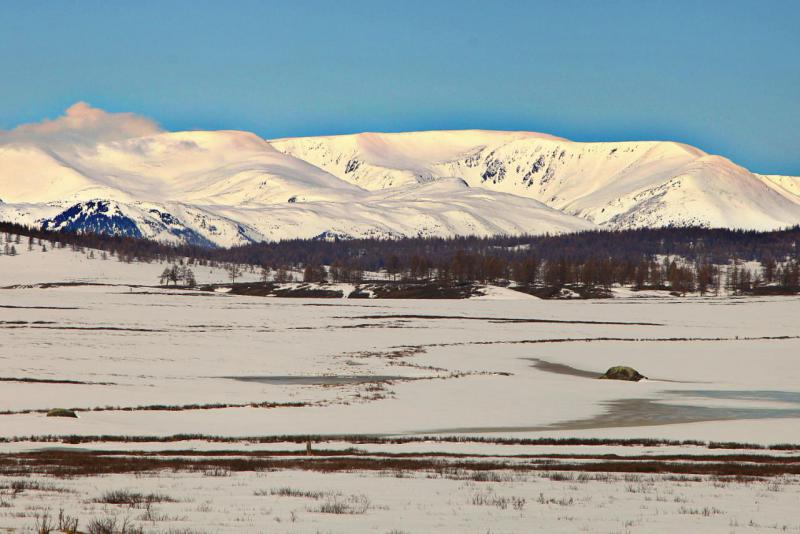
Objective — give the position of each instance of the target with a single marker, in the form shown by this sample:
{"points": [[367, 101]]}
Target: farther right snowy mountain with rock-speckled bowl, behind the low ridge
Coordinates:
{"points": [[617, 185]]}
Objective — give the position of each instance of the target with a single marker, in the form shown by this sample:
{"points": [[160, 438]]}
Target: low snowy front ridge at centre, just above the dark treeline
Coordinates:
{"points": [[446, 208]]}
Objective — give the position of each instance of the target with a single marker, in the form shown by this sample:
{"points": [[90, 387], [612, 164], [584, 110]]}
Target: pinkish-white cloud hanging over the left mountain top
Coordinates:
{"points": [[84, 125]]}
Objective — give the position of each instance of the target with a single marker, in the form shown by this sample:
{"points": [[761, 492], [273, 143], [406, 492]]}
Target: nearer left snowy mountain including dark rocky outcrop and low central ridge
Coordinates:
{"points": [[228, 188]]}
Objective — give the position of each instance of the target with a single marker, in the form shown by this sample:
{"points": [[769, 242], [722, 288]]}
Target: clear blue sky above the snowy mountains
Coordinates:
{"points": [[722, 75]]}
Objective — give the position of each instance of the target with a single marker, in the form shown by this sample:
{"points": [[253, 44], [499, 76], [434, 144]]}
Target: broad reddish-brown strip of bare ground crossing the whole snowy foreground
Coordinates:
{"points": [[65, 463]]}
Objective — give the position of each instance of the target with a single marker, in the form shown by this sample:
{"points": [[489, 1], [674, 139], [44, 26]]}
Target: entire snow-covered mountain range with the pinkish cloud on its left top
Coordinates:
{"points": [[118, 173]]}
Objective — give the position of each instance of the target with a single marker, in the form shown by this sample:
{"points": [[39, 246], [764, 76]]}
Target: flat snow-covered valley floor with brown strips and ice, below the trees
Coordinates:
{"points": [[480, 415]]}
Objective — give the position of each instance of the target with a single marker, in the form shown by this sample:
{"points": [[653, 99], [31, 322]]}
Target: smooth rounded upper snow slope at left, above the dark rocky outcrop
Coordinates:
{"points": [[224, 167]]}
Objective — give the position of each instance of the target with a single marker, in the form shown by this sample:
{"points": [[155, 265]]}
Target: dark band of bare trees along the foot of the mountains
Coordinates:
{"points": [[677, 258]]}
